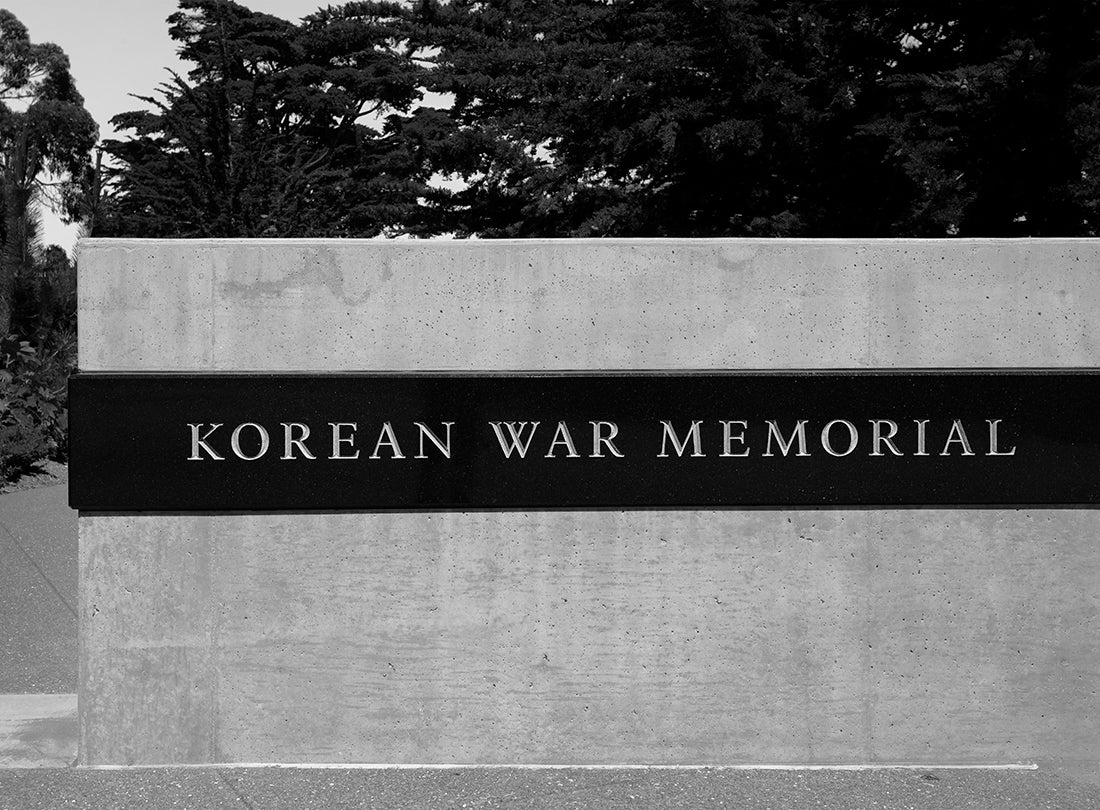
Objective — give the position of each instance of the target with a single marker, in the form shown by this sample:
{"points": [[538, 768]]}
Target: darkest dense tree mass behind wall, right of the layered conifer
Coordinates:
{"points": [[735, 118]]}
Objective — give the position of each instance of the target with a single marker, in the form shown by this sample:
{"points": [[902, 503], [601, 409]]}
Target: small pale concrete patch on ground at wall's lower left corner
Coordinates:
{"points": [[38, 731]]}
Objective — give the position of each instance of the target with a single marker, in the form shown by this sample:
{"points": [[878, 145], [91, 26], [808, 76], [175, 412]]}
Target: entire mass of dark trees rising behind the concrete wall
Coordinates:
{"points": [[625, 118]]}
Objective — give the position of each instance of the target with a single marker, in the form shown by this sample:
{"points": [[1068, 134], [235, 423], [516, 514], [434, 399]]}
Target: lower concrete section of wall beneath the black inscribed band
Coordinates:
{"points": [[716, 638]]}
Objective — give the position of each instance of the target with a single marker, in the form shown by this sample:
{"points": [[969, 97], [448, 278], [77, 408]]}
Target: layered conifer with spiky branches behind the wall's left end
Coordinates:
{"points": [[267, 136]]}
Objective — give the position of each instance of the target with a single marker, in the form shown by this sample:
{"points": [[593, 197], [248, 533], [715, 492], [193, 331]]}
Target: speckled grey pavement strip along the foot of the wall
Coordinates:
{"points": [[485, 790]]}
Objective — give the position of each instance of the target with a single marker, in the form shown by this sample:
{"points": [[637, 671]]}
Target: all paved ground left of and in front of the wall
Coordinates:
{"points": [[38, 718]]}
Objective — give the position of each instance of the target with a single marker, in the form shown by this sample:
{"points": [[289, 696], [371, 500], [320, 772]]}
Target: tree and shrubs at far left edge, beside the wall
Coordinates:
{"points": [[46, 143]]}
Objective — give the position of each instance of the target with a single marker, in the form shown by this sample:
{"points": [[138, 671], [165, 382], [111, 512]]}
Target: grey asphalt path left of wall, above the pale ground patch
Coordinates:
{"points": [[38, 593]]}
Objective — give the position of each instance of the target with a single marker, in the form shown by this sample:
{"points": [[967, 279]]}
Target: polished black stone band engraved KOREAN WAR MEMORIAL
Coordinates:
{"points": [[601, 441]]}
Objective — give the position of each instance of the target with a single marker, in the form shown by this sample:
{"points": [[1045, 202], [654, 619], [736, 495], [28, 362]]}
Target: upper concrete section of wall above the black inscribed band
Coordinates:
{"points": [[335, 305]]}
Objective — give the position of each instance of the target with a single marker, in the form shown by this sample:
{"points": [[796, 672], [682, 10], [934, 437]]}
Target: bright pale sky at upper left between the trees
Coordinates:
{"points": [[118, 48]]}
